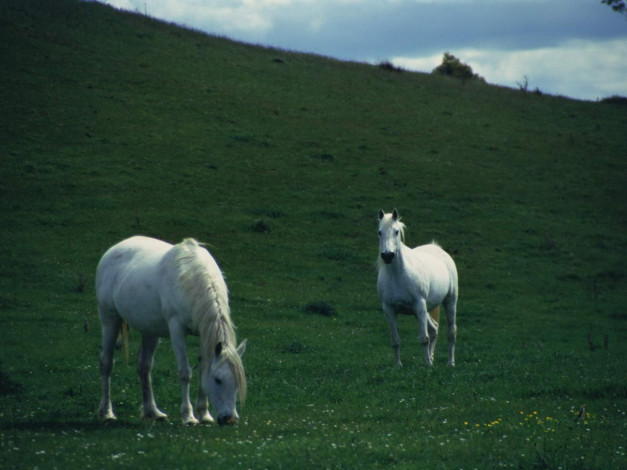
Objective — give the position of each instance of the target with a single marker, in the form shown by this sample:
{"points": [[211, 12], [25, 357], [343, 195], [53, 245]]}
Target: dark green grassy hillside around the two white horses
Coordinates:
{"points": [[114, 124]]}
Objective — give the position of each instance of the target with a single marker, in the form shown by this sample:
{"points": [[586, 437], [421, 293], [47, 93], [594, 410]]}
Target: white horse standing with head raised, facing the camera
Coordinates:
{"points": [[415, 282]]}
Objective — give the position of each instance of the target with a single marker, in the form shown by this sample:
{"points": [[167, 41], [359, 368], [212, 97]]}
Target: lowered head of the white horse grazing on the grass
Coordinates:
{"points": [[223, 380]]}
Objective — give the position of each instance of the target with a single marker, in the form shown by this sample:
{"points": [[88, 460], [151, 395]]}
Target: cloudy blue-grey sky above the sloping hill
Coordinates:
{"points": [[575, 48]]}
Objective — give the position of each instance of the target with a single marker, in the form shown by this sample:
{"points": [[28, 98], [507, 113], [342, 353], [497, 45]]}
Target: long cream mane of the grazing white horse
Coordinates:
{"points": [[200, 278]]}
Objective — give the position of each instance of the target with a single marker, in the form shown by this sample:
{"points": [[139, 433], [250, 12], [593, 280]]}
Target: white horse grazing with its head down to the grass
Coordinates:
{"points": [[166, 290]]}
